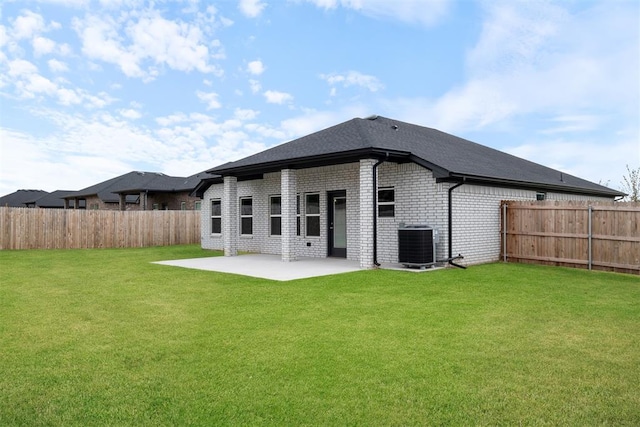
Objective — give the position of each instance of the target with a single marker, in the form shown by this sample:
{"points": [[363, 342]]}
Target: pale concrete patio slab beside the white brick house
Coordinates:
{"points": [[273, 268]]}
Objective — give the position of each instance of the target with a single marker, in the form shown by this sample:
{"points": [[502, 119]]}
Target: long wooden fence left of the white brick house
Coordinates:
{"points": [[23, 228]]}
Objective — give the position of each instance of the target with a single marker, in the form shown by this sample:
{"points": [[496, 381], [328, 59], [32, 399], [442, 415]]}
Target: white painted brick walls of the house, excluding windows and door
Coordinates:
{"points": [[418, 200]]}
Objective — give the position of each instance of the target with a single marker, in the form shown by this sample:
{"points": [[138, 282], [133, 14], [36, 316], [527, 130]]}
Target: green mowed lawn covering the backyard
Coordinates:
{"points": [[104, 337]]}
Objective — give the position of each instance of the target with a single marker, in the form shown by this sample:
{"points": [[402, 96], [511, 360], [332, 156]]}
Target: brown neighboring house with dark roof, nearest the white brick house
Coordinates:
{"points": [[139, 191]]}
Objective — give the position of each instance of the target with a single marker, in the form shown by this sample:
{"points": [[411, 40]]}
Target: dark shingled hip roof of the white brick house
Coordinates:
{"points": [[449, 157]]}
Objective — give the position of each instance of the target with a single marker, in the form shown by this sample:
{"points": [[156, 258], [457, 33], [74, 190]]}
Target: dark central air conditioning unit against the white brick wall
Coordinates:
{"points": [[417, 245]]}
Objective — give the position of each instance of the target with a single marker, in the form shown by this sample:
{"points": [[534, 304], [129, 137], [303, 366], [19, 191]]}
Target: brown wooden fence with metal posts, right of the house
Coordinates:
{"points": [[593, 235]]}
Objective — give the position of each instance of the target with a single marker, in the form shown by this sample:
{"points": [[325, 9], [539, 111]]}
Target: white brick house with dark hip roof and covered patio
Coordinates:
{"points": [[345, 190]]}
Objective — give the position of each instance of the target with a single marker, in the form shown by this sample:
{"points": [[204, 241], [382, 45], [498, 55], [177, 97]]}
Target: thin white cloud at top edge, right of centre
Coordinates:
{"points": [[420, 12]]}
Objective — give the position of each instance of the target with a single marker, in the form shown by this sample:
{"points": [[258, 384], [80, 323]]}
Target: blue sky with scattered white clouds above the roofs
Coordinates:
{"points": [[90, 89]]}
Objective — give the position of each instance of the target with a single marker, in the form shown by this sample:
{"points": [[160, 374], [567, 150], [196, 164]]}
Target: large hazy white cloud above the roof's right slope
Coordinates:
{"points": [[537, 58]]}
